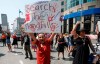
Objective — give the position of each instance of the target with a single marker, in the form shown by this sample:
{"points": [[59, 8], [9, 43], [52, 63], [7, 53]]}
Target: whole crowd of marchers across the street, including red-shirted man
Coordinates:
{"points": [[77, 44]]}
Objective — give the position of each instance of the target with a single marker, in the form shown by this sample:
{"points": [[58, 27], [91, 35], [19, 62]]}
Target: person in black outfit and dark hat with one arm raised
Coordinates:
{"points": [[83, 43]]}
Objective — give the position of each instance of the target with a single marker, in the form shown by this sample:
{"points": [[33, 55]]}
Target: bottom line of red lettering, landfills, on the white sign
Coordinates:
{"points": [[41, 25]]}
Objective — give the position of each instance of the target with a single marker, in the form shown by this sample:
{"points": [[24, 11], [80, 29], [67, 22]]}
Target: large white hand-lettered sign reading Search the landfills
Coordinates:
{"points": [[44, 17]]}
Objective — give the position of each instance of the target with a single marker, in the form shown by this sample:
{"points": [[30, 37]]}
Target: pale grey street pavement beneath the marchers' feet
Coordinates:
{"points": [[18, 56]]}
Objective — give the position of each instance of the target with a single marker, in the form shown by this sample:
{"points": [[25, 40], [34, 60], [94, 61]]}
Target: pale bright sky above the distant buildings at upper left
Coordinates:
{"points": [[11, 8]]}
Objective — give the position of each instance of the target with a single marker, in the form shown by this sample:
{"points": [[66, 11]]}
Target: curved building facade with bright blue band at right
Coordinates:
{"points": [[85, 11]]}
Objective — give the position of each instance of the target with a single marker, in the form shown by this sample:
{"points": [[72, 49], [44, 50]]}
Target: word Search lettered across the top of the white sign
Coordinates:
{"points": [[43, 7]]}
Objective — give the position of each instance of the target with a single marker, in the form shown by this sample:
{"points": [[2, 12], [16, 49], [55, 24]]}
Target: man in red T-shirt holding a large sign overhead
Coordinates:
{"points": [[43, 47]]}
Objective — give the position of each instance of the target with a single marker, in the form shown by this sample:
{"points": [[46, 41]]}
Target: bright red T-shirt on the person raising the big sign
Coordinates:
{"points": [[43, 52]]}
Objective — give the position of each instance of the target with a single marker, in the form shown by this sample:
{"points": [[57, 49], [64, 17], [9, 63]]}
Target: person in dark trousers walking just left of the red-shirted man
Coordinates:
{"points": [[27, 46]]}
